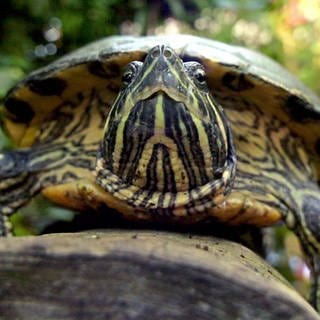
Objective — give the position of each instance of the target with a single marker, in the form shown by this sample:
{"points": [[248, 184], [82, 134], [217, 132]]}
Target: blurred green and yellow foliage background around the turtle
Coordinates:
{"points": [[35, 32]]}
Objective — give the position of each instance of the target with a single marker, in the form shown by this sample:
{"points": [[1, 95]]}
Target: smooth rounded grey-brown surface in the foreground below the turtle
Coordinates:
{"points": [[140, 275]]}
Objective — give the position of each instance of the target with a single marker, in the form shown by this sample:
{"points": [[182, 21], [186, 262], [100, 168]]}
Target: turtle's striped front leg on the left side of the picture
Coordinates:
{"points": [[26, 172]]}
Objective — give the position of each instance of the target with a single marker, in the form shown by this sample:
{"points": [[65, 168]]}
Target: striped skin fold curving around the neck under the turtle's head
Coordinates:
{"points": [[139, 203]]}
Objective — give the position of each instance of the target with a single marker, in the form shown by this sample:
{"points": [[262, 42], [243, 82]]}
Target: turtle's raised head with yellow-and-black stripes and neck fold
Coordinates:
{"points": [[167, 143]]}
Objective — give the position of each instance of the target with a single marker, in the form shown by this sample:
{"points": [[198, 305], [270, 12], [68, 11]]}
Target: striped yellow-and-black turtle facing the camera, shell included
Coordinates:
{"points": [[174, 129]]}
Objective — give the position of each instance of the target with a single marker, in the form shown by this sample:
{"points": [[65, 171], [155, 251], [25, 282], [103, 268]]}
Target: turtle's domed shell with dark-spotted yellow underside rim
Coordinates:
{"points": [[231, 70]]}
